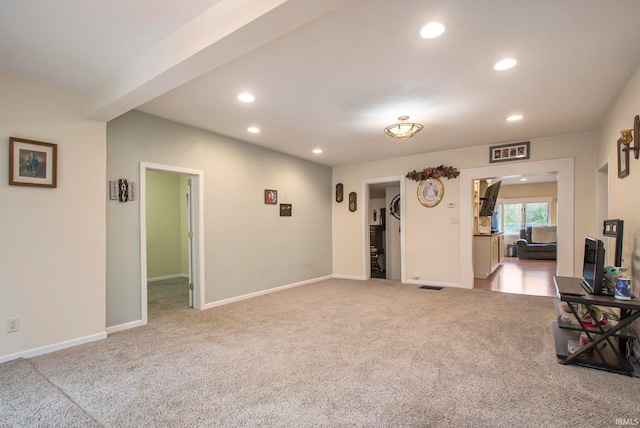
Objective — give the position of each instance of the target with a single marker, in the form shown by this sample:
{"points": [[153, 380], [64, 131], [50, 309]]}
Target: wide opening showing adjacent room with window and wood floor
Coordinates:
{"points": [[524, 200]]}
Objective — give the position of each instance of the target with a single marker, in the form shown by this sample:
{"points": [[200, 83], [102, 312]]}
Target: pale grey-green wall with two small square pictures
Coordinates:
{"points": [[248, 246]]}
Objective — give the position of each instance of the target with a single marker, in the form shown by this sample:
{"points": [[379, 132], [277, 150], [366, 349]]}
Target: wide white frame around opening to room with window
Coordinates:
{"points": [[565, 170]]}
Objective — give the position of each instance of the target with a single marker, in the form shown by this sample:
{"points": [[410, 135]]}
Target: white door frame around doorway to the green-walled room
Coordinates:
{"points": [[197, 208]]}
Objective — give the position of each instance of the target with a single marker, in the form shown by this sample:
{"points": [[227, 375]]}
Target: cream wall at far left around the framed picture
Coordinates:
{"points": [[52, 251]]}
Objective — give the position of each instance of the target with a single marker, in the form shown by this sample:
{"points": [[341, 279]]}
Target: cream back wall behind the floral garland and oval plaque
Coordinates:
{"points": [[433, 234]]}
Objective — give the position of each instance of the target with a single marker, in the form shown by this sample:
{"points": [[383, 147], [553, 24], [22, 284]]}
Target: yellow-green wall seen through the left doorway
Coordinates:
{"points": [[166, 225]]}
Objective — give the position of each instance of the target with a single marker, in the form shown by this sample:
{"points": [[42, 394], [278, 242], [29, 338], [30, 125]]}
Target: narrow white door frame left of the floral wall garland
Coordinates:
{"points": [[366, 258]]}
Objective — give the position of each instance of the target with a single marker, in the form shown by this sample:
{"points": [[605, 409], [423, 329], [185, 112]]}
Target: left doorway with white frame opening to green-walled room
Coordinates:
{"points": [[172, 257]]}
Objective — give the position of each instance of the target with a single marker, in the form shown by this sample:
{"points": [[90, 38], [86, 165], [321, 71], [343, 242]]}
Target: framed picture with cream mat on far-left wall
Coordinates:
{"points": [[33, 163]]}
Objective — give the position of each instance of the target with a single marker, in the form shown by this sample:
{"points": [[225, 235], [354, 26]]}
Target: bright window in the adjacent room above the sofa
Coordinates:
{"points": [[517, 213]]}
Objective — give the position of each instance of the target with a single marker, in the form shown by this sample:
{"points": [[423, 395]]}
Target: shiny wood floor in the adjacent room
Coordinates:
{"points": [[532, 277]]}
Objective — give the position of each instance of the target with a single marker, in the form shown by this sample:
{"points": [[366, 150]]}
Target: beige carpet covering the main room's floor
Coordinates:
{"points": [[336, 353]]}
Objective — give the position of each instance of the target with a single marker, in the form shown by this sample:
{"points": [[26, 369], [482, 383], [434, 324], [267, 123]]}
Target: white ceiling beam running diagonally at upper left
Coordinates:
{"points": [[223, 33]]}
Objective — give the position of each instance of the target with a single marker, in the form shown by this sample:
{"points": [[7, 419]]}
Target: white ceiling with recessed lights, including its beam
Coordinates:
{"points": [[332, 74]]}
